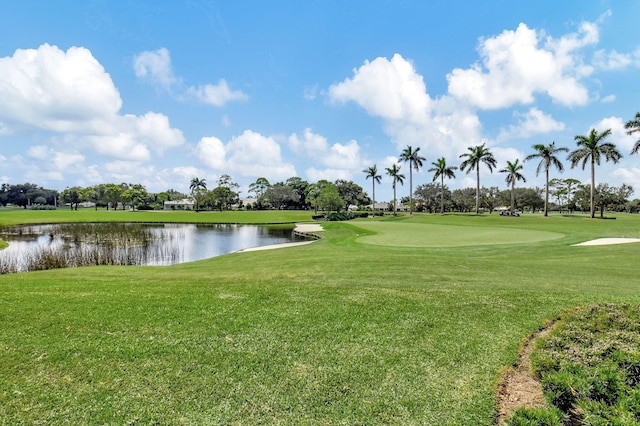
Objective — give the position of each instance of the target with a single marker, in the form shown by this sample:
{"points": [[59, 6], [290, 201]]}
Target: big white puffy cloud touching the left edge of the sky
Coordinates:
{"points": [[54, 90]]}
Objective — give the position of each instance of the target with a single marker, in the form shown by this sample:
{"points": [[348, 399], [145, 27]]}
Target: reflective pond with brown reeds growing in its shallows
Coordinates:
{"points": [[38, 247]]}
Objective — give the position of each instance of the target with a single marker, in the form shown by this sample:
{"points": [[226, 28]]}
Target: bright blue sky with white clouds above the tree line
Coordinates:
{"points": [[158, 92]]}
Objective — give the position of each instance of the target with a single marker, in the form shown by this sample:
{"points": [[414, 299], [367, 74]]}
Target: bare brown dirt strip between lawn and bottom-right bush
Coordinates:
{"points": [[518, 387]]}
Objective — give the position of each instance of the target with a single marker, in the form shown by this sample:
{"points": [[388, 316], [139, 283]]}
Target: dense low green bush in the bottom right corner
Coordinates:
{"points": [[590, 365]]}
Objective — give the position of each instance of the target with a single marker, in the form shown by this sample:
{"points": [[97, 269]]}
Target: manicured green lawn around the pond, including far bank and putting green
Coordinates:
{"points": [[367, 326]]}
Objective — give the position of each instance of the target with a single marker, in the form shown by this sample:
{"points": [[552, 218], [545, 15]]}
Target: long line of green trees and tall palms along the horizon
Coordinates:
{"points": [[296, 193]]}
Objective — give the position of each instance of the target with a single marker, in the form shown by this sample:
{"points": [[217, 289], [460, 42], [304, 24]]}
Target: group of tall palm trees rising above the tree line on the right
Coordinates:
{"points": [[590, 150]]}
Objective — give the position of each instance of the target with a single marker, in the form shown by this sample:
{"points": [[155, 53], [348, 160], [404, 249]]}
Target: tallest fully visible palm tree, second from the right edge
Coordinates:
{"points": [[590, 149]]}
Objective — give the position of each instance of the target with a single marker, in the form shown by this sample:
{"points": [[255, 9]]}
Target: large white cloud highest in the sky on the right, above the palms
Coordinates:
{"points": [[517, 65]]}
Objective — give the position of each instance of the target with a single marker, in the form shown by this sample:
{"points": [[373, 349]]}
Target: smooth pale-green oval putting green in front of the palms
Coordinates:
{"points": [[428, 235]]}
